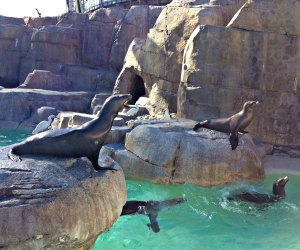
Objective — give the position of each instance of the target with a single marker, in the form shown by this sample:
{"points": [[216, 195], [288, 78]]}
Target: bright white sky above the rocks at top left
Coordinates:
{"points": [[21, 8]]}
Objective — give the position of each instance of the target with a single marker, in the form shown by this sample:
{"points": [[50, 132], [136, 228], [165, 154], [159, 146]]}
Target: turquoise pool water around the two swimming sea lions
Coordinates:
{"points": [[208, 220]]}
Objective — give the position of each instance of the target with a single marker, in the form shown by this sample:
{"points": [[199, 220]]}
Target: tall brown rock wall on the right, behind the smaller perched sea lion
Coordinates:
{"points": [[258, 59]]}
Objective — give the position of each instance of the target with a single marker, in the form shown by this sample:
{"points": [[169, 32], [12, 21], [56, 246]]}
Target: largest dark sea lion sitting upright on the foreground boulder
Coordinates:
{"points": [[81, 141]]}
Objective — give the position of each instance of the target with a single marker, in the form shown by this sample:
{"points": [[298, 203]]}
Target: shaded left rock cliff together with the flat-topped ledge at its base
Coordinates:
{"points": [[73, 52]]}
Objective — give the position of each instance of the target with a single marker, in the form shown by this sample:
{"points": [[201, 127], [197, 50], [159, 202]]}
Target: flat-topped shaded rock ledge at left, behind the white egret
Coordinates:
{"points": [[20, 106]]}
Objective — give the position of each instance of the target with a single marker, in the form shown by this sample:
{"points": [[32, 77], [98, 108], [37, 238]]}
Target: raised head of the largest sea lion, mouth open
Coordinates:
{"points": [[115, 103]]}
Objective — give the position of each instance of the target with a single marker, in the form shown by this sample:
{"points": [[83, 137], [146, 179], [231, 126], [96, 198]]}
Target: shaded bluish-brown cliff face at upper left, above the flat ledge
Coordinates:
{"points": [[98, 41]]}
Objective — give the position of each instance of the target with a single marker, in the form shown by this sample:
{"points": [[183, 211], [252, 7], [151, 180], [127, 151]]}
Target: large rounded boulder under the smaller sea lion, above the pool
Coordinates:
{"points": [[173, 153]]}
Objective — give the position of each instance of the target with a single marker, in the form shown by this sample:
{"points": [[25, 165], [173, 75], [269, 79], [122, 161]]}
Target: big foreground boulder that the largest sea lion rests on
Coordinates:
{"points": [[56, 203]]}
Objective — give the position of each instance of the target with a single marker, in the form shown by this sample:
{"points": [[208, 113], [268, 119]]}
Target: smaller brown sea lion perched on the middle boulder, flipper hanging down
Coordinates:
{"points": [[233, 124]]}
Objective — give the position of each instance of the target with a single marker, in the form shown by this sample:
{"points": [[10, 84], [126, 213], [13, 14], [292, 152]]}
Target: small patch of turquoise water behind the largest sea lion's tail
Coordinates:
{"points": [[10, 136]]}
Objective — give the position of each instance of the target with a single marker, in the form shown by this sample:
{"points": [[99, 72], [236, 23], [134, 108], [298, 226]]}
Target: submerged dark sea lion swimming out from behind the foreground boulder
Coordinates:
{"points": [[150, 208]]}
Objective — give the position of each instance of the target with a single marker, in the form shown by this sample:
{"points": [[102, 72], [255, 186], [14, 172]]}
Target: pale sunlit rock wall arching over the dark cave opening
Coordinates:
{"points": [[158, 58]]}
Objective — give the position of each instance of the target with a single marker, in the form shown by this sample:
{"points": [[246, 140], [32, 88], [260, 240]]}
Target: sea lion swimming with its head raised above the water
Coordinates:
{"points": [[278, 193]]}
